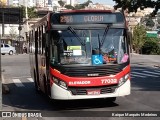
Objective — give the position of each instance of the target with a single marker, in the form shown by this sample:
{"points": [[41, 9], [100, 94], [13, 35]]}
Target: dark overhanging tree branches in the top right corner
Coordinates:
{"points": [[133, 5]]}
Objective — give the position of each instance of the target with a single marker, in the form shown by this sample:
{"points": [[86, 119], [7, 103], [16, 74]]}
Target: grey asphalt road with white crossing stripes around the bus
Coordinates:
{"points": [[145, 93]]}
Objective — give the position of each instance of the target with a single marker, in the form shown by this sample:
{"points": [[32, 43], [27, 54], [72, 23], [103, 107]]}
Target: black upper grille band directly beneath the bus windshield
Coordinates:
{"points": [[90, 71]]}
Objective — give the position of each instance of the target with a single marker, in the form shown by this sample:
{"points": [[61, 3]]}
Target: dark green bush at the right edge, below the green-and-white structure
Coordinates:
{"points": [[151, 46]]}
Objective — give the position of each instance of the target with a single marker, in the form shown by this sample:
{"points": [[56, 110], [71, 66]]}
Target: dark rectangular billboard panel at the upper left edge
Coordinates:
{"points": [[11, 15]]}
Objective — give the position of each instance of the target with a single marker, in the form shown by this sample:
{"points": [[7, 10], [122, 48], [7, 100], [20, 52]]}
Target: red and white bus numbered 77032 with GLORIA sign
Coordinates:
{"points": [[81, 54]]}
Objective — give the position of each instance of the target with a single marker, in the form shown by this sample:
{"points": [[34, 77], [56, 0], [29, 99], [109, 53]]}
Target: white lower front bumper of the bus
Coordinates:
{"points": [[63, 94]]}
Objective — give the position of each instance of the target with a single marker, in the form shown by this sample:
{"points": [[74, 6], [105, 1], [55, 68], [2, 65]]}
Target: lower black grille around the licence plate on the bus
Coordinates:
{"points": [[83, 91]]}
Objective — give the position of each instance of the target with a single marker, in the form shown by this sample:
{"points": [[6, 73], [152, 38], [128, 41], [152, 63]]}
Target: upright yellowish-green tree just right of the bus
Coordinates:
{"points": [[139, 35]]}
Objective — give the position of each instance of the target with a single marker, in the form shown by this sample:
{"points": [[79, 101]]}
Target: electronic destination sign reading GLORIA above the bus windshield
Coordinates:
{"points": [[89, 18]]}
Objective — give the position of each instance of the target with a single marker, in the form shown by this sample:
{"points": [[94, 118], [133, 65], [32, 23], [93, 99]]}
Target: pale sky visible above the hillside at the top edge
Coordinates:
{"points": [[107, 2]]}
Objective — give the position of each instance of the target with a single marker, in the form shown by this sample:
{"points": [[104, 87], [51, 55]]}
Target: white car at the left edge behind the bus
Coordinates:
{"points": [[7, 49]]}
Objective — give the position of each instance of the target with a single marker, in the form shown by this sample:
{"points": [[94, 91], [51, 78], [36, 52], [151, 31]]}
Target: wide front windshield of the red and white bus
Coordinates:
{"points": [[78, 46]]}
